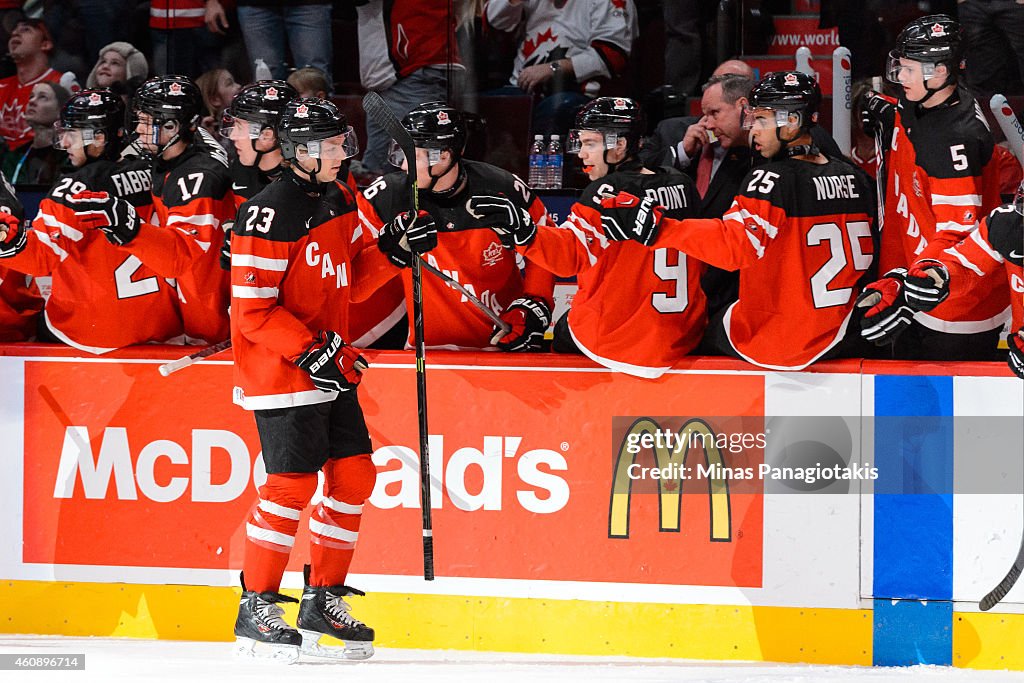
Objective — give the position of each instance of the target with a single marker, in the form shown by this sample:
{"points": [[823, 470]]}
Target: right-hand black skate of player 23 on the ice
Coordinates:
{"points": [[324, 612]]}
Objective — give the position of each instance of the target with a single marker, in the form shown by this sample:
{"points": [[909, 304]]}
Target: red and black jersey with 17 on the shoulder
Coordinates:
{"points": [[191, 198]]}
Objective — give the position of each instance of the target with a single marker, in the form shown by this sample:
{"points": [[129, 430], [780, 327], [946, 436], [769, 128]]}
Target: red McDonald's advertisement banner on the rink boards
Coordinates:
{"points": [[559, 474]]}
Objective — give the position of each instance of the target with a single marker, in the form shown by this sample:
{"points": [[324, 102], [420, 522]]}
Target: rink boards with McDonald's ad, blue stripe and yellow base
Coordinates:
{"points": [[124, 496]]}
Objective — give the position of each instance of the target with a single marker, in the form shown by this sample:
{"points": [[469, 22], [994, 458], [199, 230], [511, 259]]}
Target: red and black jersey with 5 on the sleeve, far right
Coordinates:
{"points": [[942, 179]]}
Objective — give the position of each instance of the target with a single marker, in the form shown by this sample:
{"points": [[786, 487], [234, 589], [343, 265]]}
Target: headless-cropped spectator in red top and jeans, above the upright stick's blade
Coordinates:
{"points": [[406, 72]]}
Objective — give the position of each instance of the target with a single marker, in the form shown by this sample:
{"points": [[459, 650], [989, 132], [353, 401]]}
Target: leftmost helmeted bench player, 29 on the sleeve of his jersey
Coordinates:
{"points": [[102, 298]]}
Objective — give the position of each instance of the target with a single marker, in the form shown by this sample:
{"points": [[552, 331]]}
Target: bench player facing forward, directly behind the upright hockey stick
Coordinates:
{"points": [[465, 250]]}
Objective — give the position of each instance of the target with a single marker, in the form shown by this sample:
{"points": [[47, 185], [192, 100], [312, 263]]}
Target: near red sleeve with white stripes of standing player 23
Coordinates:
{"points": [[259, 268]]}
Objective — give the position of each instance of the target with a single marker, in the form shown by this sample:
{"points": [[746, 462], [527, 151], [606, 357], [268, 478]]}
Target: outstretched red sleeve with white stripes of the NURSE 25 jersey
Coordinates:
{"points": [[736, 241]]}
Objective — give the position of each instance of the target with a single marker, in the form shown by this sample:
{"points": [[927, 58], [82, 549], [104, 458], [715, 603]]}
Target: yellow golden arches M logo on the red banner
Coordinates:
{"points": [[669, 491]]}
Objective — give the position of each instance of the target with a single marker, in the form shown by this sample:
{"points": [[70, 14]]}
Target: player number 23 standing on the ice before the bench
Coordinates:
{"points": [[292, 264]]}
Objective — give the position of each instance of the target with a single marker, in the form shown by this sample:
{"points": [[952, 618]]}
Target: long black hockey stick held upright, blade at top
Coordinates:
{"points": [[378, 111]]}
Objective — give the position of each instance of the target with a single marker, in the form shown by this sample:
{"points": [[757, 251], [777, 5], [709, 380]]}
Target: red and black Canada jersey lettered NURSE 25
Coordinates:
{"points": [[801, 236]]}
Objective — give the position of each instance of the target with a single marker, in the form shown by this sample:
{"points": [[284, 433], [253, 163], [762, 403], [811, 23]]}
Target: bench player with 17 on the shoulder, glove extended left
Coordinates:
{"points": [[192, 199]]}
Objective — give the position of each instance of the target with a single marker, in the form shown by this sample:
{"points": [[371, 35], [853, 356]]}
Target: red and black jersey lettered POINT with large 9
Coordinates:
{"points": [[637, 311]]}
